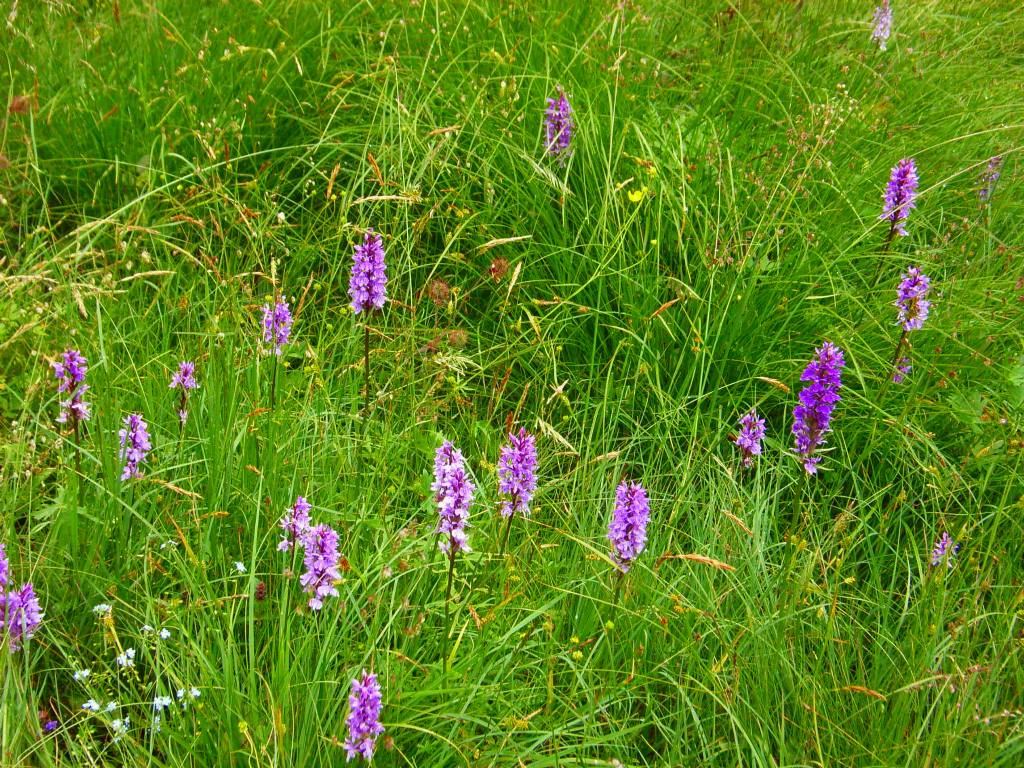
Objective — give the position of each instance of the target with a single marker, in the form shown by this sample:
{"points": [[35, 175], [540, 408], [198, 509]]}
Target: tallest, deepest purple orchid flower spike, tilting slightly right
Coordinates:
{"points": [[813, 417]]}
